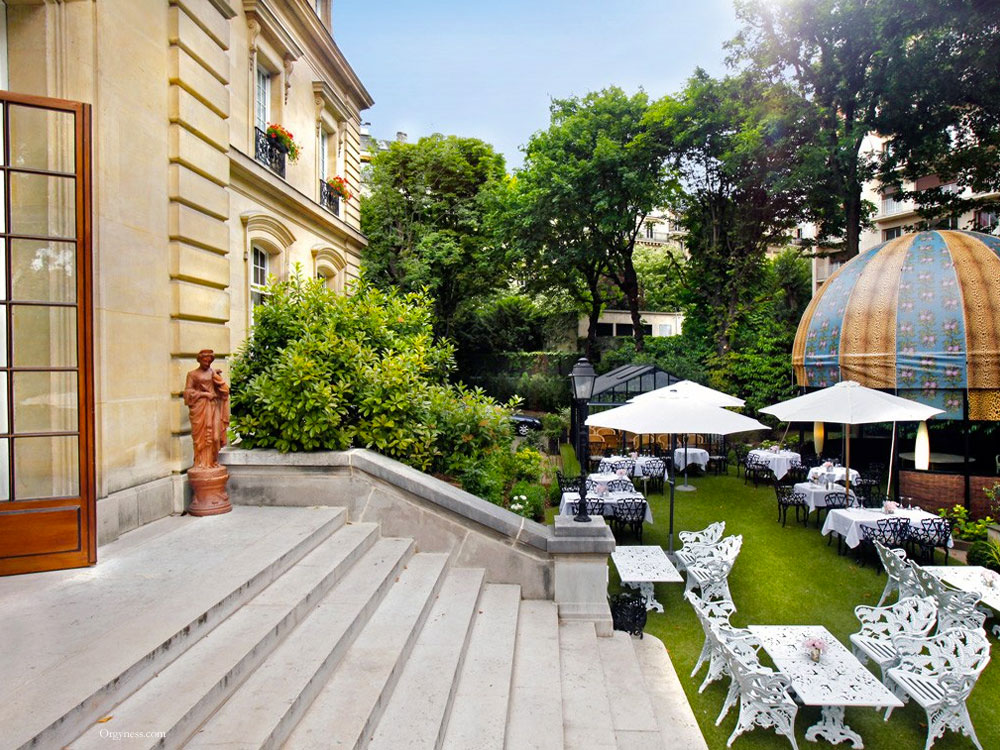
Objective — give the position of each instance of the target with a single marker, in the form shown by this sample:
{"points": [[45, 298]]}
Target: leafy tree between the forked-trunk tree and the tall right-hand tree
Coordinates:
{"points": [[736, 144]]}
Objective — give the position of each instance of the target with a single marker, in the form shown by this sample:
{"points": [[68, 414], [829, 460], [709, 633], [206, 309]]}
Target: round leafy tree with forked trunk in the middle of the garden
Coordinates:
{"points": [[587, 184]]}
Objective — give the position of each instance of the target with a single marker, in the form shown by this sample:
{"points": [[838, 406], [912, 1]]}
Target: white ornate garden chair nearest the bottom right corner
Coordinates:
{"points": [[939, 673]]}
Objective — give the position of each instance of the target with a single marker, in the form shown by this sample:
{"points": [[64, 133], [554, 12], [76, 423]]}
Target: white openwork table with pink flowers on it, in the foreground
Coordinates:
{"points": [[836, 681]]}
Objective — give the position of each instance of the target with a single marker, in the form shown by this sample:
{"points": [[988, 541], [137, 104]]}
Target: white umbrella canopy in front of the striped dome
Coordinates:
{"points": [[849, 402]]}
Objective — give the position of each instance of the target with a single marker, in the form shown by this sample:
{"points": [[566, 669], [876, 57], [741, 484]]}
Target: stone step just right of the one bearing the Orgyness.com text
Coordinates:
{"points": [[267, 706]]}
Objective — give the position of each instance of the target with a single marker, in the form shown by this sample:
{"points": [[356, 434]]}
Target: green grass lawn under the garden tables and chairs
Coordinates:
{"points": [[784, 576]]}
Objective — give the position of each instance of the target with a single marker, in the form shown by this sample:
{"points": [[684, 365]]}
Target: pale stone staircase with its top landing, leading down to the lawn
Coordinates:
{"points": [[289, 627]]}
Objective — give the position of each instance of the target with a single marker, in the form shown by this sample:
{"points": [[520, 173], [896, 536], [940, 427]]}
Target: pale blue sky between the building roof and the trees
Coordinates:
{"points": [[488, 69]]}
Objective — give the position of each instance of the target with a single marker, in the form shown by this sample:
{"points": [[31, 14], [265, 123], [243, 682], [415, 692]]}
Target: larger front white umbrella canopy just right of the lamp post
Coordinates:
{"points": [[674, 413]]}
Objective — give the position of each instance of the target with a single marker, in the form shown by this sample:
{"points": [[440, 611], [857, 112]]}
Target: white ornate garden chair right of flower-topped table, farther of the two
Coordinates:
{"points": [[912, 616]]}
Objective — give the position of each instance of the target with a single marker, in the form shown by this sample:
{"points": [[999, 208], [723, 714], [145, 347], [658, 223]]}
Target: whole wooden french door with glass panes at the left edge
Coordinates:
{"points": [[47, 487]]}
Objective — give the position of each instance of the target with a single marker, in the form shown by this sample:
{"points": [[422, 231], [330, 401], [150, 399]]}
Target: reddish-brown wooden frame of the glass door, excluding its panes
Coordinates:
{"points": [[86, 553]]}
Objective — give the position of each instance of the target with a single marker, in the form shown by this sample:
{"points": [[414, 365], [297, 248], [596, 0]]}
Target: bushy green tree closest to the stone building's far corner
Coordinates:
{"points": [[425, 222]]}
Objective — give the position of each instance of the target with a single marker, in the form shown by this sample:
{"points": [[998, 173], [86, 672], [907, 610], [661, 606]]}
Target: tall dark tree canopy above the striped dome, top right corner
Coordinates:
{"points": [[921, 73]]}
